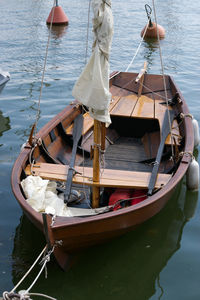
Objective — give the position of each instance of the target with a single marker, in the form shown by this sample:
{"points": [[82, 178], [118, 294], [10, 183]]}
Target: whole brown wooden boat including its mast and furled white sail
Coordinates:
{"points": [[137, 161]]}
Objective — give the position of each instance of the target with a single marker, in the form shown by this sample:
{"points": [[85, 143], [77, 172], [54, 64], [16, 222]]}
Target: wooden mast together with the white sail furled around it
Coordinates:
{"points": [[92, 87]]}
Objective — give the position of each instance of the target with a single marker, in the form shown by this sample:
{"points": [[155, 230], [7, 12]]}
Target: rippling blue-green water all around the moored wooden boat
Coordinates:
{"points": [[160, 260]]}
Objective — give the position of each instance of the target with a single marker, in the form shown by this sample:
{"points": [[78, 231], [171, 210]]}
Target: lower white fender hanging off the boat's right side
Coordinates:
{"points": [[192, 175]]}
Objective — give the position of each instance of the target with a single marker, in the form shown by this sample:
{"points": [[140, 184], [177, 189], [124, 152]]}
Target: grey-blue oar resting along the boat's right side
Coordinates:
{"points": [[165, 131]]}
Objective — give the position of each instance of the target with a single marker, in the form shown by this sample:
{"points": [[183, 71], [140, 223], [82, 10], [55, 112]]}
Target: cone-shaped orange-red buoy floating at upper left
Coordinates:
{"points": [[59, 16]]}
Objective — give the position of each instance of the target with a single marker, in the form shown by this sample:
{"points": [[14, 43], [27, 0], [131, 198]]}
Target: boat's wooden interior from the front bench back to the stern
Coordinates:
{"points": [[131, 141]]}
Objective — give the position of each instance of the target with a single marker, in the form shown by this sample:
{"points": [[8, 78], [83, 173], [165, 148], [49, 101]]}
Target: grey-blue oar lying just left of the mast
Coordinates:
{"points": [[77, 131]]}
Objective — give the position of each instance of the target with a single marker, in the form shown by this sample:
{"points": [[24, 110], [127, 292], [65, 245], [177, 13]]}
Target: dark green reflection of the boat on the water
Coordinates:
{"points": [[128, 266]]}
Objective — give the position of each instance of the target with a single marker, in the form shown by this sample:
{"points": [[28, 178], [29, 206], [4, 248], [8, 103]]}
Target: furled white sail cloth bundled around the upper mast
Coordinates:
{"points": [[92, 87]]}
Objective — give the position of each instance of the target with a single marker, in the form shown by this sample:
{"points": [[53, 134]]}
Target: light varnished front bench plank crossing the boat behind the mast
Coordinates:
{"points": [[109, 178]]}
